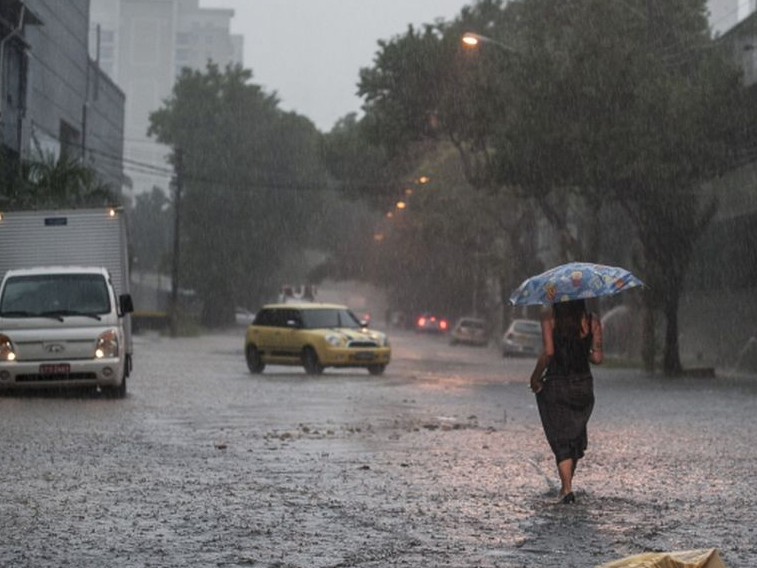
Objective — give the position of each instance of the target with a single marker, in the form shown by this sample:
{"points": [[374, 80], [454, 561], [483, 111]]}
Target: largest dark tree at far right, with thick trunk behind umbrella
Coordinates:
{"points": [[630, 102]]}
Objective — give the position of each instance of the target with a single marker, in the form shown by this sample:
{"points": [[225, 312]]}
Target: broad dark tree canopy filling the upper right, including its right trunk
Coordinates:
{"points": [[580, 101]]}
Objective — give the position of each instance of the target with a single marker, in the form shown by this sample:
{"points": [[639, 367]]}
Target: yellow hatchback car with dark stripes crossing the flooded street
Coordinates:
{"points": [[315, 336]]}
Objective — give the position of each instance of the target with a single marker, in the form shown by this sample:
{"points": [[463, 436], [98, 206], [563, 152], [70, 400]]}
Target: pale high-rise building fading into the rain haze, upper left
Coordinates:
{"points": [[143, 45]]}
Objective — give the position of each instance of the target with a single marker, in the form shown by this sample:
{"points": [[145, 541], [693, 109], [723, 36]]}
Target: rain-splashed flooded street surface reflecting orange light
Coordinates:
{"points": [[441, 462]]}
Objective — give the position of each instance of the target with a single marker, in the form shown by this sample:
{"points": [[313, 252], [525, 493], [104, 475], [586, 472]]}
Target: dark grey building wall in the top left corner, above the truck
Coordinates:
{"points": [[55, 100]]}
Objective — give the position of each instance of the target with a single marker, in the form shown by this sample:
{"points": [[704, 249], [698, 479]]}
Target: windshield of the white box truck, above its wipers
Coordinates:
{"points": [[55, 295]]}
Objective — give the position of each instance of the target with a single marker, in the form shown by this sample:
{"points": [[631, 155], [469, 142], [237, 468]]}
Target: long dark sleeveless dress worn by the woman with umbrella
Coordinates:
{"points": [[567, 399]]}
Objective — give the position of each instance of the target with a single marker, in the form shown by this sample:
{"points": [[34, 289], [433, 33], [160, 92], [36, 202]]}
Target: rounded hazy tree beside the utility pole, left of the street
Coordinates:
{"points": [[252, 176]]}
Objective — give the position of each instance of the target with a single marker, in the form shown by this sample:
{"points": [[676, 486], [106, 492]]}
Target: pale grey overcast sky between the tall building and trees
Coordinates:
{"points": [[310, 51]]}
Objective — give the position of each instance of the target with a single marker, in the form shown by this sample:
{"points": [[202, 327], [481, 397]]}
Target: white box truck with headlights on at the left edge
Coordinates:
{"points": [[64, 300]]}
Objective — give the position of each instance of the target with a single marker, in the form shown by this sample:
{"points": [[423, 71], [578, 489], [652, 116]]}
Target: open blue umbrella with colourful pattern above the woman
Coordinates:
{"points": [[573, 281]]}
